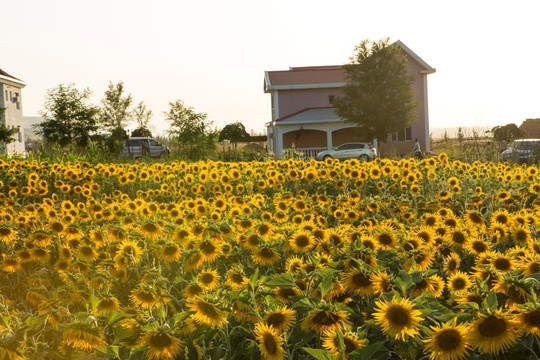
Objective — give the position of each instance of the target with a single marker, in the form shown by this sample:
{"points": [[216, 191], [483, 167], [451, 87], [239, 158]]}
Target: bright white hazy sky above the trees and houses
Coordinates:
{"points": [[212, 54]]}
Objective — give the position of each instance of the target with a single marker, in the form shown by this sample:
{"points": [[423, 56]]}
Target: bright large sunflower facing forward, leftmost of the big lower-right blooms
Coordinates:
{"points": [[397, 318]]}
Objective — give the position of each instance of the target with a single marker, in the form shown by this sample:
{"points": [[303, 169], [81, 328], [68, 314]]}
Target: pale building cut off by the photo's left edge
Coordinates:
{"points": [[11, 102]]}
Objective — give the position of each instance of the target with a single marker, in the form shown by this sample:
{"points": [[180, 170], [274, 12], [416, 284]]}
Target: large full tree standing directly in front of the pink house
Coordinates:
{"points": [[379, 96]]}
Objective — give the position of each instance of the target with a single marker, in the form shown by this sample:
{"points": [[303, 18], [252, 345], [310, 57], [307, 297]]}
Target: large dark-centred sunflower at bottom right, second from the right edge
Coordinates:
{"points": [[493, 332]]}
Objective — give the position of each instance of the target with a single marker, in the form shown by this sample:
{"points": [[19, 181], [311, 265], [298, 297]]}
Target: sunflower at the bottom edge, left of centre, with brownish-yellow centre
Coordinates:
{"points": [[161, 344]]}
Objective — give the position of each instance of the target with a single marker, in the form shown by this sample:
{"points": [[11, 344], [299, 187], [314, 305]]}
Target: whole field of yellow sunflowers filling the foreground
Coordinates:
{"points": [[389, 259]]}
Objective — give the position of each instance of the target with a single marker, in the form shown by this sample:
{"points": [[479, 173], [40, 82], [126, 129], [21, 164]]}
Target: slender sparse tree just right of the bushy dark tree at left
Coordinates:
{"points": [[115, 108]]}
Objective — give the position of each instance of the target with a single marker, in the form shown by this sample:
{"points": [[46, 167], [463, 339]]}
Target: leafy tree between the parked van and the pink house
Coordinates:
{"points": [[190, 130]]}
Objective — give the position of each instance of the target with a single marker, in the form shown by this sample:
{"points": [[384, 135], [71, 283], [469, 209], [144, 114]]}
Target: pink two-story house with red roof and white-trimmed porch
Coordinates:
{"points": [[304, 120]]}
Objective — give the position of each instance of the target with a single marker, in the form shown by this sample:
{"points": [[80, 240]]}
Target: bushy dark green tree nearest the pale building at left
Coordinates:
{"points": [[68, 117]]}
